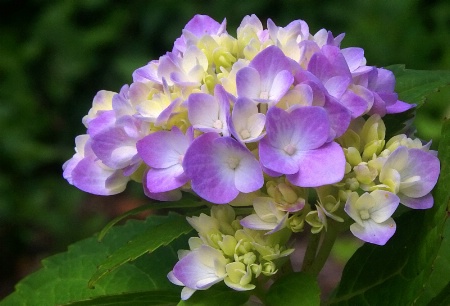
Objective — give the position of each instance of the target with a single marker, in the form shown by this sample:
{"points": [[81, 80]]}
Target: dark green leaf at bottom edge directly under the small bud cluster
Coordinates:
{"points": [[216, 295]]}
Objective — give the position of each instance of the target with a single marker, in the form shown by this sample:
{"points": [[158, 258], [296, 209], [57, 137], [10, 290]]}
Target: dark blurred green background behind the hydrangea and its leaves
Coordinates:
{"points": [[55, 56]]}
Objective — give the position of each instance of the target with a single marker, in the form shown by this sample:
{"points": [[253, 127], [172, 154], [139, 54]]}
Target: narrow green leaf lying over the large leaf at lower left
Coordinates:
{"points": [[147, 241]]}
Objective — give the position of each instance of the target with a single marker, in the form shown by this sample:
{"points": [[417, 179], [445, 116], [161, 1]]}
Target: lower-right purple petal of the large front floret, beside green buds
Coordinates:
{"points": [[323, 166]]}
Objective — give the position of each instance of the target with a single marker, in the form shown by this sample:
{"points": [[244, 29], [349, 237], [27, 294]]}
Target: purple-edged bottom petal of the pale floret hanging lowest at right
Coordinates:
{"points": [[376, 233]]}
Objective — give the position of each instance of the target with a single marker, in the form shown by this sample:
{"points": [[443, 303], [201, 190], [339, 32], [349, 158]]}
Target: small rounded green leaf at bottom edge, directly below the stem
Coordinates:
{"points": [[294, 289]]}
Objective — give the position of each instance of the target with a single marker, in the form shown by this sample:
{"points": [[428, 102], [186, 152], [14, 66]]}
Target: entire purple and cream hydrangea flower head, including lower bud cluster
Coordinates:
{"points": [[269, 119]]}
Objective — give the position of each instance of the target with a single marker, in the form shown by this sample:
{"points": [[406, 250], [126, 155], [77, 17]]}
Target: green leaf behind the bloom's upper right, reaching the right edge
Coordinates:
{"points": [[413, 86]]}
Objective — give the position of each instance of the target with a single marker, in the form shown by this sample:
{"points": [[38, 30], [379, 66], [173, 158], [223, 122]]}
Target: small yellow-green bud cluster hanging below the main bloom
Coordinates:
{"points": [[226, 251]]}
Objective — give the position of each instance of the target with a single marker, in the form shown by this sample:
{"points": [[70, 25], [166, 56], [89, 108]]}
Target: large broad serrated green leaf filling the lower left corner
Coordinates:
{"points": [[64, 277]]}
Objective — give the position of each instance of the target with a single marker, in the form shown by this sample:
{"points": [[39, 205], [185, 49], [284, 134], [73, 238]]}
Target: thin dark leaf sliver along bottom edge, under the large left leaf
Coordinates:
{"points": [[149, 298]]}
